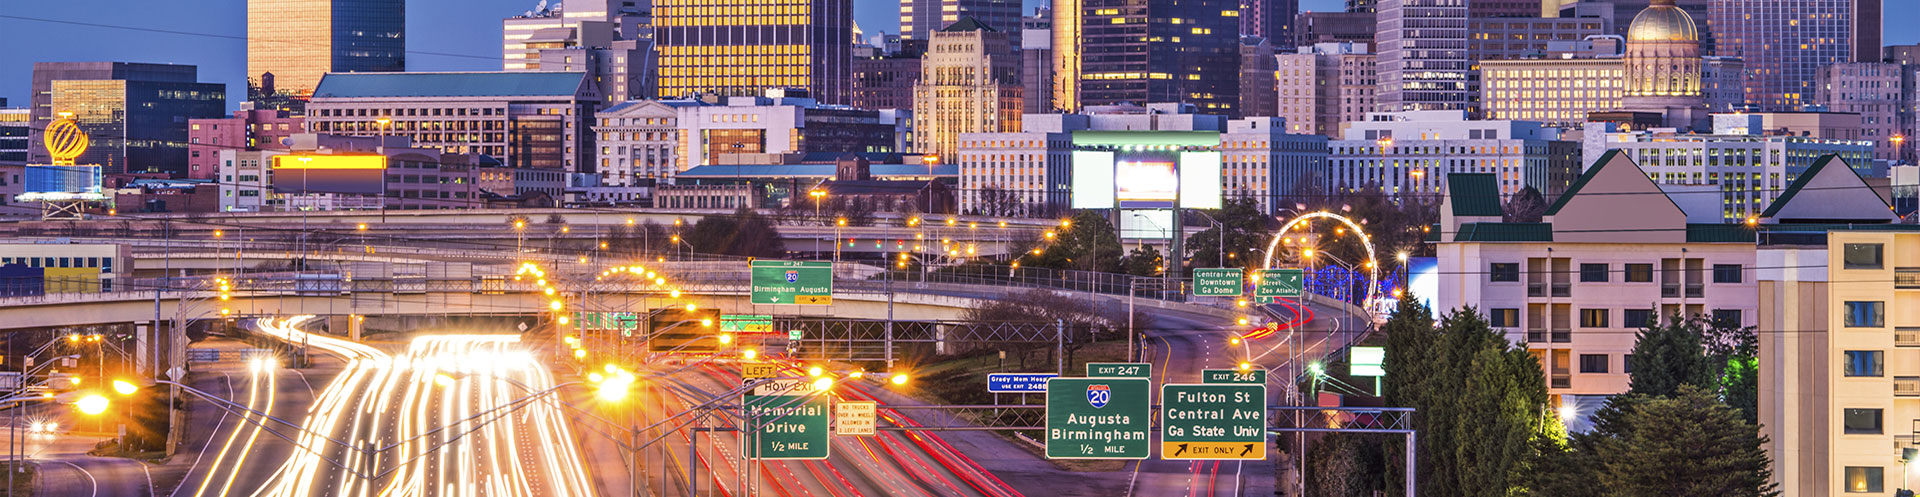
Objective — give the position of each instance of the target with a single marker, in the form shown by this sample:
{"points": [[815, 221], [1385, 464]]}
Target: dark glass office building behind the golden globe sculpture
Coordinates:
{"points": [[135, 114]]}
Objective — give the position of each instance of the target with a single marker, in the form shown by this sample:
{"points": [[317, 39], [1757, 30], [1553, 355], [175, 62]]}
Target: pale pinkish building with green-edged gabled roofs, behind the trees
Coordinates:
{"points": [[1612, 256]]}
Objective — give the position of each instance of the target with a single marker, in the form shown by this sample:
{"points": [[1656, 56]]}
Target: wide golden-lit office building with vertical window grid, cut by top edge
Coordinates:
{"points": [[748, 47]]}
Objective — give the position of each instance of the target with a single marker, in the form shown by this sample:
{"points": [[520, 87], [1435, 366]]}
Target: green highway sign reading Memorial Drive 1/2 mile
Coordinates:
{"points": [[790, 421]]}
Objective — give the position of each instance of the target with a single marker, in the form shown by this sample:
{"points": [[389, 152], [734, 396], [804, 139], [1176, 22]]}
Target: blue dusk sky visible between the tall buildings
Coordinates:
{"points": [[443, 35]]}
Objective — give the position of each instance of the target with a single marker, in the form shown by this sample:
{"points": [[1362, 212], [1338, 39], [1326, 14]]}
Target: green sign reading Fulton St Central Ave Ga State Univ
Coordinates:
{"points": [[1214, 421]]}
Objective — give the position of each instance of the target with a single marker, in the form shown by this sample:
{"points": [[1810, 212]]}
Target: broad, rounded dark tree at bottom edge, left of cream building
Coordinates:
{"points": [[1689, 444]]}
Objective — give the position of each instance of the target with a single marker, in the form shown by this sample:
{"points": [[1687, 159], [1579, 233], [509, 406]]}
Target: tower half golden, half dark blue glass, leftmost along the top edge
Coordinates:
{"points": [[299, 41]]}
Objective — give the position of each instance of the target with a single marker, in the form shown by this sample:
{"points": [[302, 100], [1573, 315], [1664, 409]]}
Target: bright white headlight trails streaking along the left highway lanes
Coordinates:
{"points": [[452, 415]]}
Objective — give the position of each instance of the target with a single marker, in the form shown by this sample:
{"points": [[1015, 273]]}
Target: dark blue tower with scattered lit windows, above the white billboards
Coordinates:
{"points": [[1124, 59]]}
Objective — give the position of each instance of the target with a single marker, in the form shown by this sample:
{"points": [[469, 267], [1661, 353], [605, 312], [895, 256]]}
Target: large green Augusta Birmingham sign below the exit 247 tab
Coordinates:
{"points": [[1099, 419]]}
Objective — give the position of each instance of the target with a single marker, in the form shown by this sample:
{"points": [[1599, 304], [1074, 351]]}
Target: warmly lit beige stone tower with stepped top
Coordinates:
{"points": [[967, 85]]}
